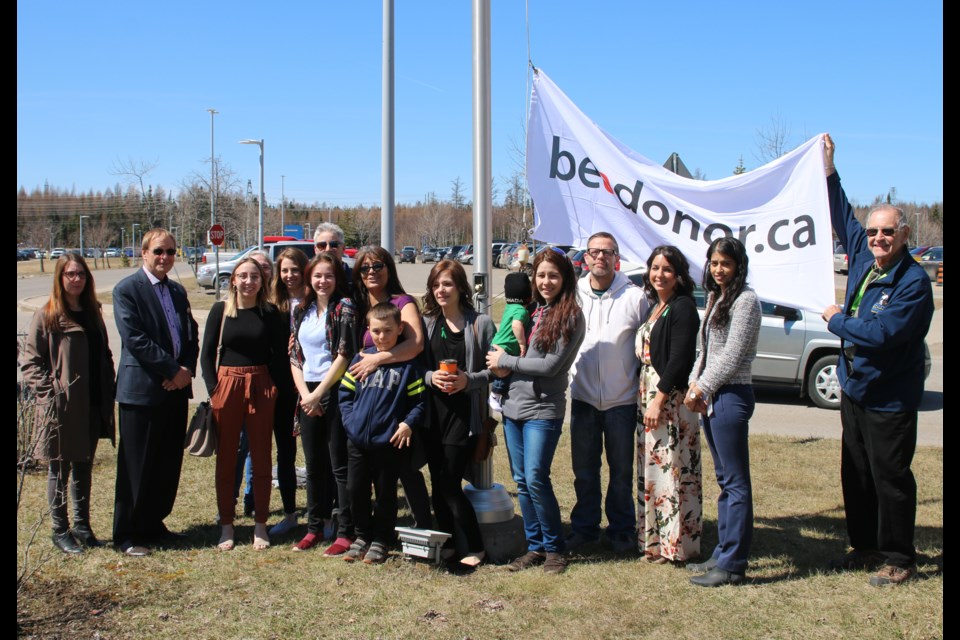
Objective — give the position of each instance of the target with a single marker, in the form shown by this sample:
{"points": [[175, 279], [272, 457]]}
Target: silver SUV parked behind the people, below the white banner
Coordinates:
{"points": [[794, 349]]}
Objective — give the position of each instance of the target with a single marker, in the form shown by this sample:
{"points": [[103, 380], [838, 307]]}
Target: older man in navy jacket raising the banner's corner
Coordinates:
{"points": [[888, 308]]}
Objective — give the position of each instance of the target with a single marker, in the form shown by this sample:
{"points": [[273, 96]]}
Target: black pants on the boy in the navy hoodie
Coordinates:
{"points": [[380, 467]]}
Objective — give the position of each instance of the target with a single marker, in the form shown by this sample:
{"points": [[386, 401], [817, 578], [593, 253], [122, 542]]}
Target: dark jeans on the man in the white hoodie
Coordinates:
{"points": [[592, 431]]}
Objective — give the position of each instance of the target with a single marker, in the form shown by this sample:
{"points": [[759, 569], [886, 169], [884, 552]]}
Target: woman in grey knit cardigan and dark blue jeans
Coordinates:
{"points": [[721, 390]]}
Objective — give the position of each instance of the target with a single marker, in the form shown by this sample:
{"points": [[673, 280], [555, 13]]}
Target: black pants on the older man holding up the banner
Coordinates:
{"points": [[879, 491]]}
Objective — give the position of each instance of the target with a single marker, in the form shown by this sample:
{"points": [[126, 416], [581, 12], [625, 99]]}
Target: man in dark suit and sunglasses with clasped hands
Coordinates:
{"points": [[158, 359]]}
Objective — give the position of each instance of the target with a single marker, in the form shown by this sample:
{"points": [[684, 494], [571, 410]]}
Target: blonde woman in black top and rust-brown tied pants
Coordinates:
{"points": [[251, 336]]}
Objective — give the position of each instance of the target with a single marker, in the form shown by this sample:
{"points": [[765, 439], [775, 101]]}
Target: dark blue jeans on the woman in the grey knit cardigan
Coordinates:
{"points": [[727, 432]]}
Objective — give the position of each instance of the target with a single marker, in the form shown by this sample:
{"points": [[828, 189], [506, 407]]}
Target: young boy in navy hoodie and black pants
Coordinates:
{"points": [[380, 414]]}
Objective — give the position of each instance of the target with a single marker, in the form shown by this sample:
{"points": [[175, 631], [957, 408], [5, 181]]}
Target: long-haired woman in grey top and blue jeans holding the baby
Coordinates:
{"points": [[534, 408]]}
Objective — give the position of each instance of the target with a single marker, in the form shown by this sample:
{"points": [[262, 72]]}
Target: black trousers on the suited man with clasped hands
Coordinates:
{"points": [[148, 467]]}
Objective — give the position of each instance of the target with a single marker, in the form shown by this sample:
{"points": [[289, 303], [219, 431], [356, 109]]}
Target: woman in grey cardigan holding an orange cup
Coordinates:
{"points": [[456, 404]]}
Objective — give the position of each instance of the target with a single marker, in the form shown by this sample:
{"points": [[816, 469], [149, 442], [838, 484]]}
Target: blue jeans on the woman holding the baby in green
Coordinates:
{"points": [[531, 445]]}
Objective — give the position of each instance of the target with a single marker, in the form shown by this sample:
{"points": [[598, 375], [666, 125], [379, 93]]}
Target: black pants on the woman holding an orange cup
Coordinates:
{"points": [[447, 466]]}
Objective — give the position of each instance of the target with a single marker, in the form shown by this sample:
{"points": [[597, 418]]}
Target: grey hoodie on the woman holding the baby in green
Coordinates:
{"points": [[538, 386]]}
